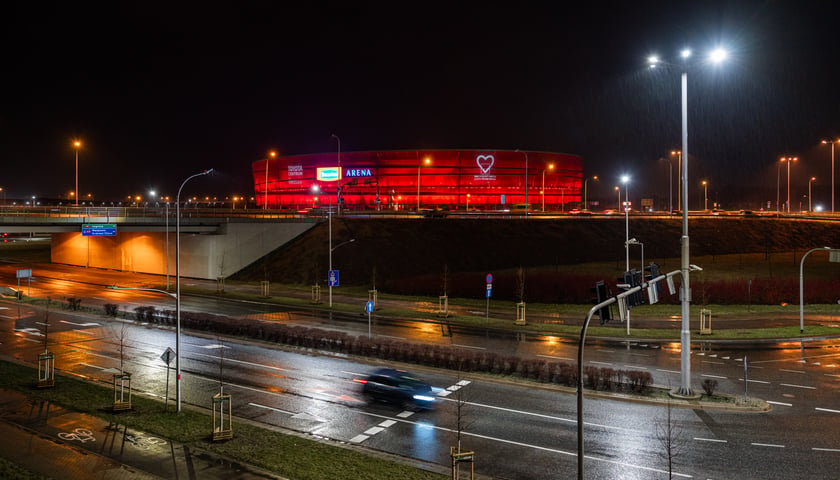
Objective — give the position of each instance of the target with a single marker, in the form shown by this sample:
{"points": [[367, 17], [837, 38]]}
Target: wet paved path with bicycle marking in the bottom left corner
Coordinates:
{"points": [[59, 443]]}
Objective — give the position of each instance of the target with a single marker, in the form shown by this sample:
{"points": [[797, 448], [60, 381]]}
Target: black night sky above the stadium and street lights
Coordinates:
{"points": [[159, 91]]}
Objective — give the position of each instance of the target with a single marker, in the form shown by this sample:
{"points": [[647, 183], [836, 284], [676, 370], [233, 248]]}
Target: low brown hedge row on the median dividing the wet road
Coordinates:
{"points": [[440, 356]]}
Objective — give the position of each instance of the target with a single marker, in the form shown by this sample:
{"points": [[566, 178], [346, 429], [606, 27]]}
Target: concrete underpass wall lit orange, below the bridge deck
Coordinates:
{"points": [[203, 255]]}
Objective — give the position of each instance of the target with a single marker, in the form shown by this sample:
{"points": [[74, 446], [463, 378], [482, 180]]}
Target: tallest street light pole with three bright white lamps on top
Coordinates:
{"points": [[717, 56]]}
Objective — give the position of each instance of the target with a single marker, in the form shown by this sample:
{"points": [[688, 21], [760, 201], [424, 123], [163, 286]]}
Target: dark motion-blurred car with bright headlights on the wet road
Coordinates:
{"points": [[397, 386]]}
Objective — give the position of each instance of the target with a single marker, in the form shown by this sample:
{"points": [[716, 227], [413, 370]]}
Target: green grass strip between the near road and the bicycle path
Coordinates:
{"points": [[289, 455]]}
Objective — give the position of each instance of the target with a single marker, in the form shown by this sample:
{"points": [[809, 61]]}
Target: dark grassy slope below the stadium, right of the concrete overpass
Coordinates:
{"points": [[561, 259]]}
